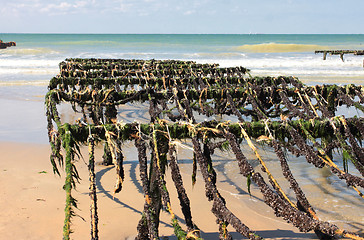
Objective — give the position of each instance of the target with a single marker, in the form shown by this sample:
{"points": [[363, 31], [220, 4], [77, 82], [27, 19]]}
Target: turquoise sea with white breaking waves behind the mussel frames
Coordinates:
{"points": [[35, 58]]}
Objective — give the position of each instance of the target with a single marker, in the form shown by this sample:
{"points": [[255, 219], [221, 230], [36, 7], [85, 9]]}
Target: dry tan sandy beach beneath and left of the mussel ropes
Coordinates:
{"points": [[33, 201]]}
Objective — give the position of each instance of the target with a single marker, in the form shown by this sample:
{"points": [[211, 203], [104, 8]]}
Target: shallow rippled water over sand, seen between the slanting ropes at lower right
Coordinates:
{"points": [[332, 200]]}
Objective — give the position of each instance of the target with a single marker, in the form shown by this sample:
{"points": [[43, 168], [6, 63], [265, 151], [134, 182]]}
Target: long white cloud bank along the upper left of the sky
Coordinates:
{"points": [[64, 7]]}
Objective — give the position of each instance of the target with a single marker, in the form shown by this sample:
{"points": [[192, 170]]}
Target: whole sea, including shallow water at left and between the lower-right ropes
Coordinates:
{"points": [[25, 71]]}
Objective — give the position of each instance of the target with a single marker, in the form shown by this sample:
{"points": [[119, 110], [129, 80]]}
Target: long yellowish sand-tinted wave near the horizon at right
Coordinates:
{"points": [[280, 48]]}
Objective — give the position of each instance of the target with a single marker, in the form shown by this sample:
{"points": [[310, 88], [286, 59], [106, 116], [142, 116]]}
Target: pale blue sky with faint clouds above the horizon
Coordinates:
{"points": [[181, 16]]}
